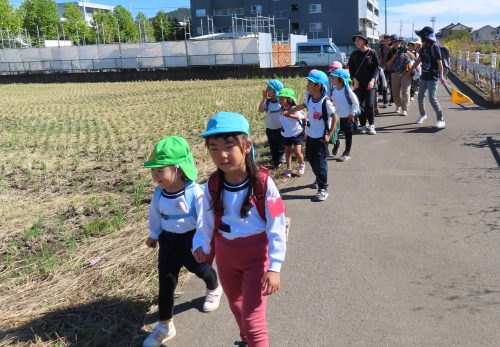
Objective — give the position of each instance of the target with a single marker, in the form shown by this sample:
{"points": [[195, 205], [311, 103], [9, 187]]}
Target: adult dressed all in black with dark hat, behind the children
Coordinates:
{"points": [[363, 68]]}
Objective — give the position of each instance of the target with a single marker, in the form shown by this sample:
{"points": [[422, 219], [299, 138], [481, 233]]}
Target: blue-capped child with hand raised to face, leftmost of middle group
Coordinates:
{"points": [[272, 107]]}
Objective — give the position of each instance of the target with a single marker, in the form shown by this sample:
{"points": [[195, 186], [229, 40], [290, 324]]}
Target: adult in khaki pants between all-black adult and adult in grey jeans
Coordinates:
{"points": [[399, 61]]}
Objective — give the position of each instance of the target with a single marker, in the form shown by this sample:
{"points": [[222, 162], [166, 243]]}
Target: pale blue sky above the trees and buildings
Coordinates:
{"points": [[409, 13]]}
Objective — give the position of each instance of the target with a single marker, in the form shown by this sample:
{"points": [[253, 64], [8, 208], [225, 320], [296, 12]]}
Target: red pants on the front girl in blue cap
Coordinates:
{"points": [[241, 264]]}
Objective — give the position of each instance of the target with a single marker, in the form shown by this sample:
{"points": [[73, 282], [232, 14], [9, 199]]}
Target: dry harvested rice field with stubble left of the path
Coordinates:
{"points": [[74, 269]]}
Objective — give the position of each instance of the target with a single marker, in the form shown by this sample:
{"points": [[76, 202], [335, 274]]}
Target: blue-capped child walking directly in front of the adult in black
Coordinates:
{"points": [[347, 107]]}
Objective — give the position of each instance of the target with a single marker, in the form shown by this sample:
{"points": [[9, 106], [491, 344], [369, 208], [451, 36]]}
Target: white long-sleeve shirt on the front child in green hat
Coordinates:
{"points": [[173, 204]]}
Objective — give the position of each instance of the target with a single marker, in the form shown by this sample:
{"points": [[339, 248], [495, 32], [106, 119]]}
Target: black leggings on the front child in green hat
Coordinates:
{"points": [[175, 252]]}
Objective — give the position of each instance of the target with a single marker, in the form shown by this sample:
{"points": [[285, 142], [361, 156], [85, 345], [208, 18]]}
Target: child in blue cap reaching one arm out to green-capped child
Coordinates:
{"points": [[321, 125]]}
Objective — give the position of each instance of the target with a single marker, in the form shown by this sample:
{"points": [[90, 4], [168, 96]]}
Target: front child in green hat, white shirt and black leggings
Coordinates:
{"points": [[173, 217]]}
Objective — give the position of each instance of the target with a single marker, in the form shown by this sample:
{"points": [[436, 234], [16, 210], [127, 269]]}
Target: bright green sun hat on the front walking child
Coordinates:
{"points": [[173, 150]]}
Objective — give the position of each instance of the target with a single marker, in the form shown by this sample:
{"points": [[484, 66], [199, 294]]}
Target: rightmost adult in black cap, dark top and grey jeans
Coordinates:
{"points": [[432, 72]]}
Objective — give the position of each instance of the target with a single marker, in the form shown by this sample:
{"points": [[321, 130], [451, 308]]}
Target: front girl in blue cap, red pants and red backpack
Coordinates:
{"points": [[244, 219]]}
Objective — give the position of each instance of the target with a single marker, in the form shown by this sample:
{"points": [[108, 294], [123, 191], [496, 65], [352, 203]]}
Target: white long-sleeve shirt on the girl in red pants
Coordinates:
{"points": [[234, 226]]}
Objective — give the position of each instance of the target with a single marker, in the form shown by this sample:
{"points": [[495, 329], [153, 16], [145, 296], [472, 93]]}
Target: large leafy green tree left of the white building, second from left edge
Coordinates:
{"points": [[40, 18]]}
